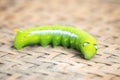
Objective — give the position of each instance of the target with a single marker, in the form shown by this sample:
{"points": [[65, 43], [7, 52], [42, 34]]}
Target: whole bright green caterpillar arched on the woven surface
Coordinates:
{"points": [[57, 35]]}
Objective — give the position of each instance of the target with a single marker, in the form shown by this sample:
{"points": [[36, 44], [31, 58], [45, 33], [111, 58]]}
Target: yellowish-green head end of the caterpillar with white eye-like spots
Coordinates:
{"points": [[89, 49]]}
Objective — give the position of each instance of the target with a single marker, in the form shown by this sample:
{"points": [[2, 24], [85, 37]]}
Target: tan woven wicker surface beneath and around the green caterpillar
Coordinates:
{"points": [[101, 18]]}
